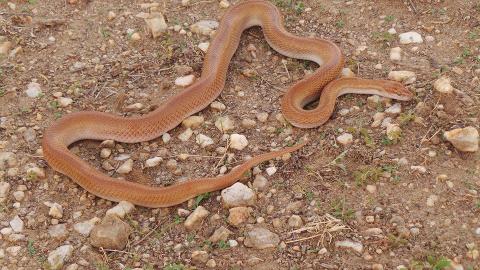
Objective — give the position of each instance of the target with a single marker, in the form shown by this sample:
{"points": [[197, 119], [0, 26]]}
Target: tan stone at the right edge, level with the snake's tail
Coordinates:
{"points": [[463, 139]]}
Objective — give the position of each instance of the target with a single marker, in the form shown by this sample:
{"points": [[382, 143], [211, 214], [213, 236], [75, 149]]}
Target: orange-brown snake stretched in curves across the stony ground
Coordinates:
{"points": [[322, 85]]}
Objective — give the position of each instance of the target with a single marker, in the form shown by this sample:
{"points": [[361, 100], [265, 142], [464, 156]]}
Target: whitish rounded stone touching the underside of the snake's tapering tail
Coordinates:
{"points": [[238, 195]]}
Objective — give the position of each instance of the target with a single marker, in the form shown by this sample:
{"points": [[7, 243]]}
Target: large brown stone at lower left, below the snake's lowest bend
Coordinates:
{"points": [[112, 233]]}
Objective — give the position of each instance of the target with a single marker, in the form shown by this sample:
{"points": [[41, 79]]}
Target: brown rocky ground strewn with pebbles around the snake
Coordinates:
{"points": [[382, 185]]}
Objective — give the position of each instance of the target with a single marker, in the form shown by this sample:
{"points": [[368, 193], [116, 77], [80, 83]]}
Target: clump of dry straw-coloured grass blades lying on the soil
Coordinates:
{"points": [[322, 228]]}
